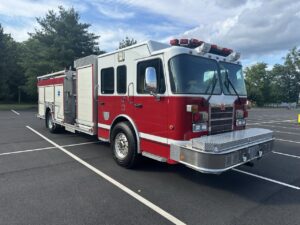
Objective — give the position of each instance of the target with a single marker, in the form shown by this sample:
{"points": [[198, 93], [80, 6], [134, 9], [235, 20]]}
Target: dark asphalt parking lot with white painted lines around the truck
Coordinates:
{"points": [[77, 182]]}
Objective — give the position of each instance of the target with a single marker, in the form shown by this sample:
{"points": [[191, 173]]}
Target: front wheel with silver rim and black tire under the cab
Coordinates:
{"points": [[124, 146]]}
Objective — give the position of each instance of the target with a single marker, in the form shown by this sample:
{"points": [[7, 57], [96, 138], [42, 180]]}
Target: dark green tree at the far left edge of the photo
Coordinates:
{"points": [[11, 74]]}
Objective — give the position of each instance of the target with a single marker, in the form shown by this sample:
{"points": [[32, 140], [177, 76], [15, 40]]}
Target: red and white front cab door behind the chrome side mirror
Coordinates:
{"points": [[150, 109]]}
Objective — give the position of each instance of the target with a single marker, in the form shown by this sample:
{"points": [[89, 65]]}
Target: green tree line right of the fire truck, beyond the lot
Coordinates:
{"points": [[280, 84]]}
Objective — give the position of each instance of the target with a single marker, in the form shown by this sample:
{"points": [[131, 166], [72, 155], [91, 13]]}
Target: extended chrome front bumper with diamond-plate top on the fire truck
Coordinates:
{"points": [[221, 152]]}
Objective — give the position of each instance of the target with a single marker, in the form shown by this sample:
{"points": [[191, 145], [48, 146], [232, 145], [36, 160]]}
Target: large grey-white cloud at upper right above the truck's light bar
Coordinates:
{"points": [[266, 27]]}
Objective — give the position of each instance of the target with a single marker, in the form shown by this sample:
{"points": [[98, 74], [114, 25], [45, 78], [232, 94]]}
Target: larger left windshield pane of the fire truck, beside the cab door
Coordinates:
{"points": [[194, 75]]}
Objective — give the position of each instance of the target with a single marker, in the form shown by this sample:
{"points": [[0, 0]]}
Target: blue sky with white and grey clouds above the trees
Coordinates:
{"points": [[261, 30]]}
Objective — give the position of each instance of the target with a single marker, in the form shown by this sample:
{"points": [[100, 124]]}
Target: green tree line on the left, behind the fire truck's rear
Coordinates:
{"points": [[60, 40]]}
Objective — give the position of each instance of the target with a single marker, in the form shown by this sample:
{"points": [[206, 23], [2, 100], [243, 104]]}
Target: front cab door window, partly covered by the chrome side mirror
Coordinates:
{"points": [[141, 69]]}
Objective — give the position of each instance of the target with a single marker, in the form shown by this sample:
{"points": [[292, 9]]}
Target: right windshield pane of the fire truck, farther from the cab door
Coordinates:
{"points": [[234, 73]]}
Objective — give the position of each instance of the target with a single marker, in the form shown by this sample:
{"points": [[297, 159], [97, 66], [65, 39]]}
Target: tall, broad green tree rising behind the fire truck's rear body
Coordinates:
{"points": [[60, 40]]}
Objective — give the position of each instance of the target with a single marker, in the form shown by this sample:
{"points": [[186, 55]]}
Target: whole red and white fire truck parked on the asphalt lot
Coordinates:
{"points": [[179, 103]]}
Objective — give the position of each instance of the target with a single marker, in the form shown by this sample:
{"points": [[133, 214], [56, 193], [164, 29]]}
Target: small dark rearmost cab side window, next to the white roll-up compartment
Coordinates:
{"points": [[107, 81]]}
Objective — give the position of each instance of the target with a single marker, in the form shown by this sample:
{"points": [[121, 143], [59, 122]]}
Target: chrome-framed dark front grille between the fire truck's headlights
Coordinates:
{"points": [[220, 120]]}
